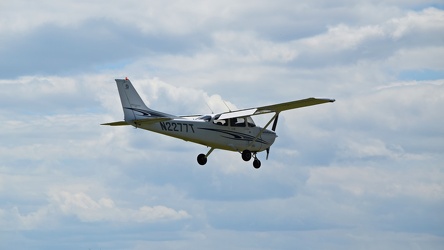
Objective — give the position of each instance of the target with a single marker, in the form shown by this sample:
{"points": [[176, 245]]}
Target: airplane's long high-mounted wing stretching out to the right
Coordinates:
{"points": [[275, 108]]}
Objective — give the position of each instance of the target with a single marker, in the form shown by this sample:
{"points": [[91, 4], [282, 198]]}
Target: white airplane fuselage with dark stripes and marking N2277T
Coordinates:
{"points": [[236, 134]]}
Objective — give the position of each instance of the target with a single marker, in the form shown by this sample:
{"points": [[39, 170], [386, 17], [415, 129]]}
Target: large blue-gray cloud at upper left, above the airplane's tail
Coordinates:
{"points": [[92, 45]]}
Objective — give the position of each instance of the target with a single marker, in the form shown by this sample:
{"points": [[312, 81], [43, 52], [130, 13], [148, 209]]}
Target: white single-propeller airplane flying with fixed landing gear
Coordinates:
{"points": [[232, 130]]}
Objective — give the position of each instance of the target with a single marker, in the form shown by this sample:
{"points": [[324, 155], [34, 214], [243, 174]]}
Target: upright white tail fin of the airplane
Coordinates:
{"points": [[133, 106]]}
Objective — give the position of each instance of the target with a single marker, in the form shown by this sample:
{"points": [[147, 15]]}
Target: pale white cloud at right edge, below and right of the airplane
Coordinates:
{"points": [[376, 181]]}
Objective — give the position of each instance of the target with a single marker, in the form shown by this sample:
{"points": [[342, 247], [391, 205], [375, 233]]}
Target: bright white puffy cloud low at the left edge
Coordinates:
{"points": [[86, 209]]}
